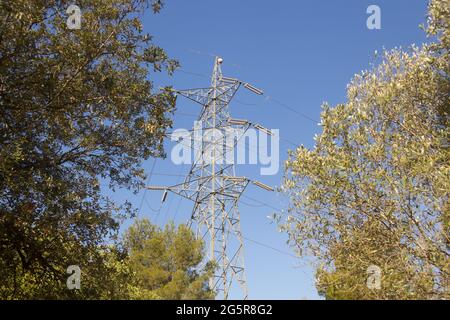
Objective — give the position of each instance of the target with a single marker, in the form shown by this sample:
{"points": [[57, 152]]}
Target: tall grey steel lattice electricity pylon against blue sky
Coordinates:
{"points": [[212, 184]]}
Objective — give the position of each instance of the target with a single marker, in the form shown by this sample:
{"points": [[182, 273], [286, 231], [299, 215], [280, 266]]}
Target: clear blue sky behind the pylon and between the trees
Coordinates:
{"points": [[301, 53]]}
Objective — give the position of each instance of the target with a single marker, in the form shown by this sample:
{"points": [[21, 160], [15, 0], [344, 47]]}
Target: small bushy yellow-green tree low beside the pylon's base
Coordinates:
{"points": [[166, 262]]}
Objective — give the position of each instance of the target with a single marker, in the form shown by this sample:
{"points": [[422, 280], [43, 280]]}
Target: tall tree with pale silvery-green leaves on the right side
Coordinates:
{"points": [[374, 189]]}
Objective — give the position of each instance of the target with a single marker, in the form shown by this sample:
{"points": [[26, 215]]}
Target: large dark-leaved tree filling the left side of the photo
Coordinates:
{"points": [[77, 109]]}
